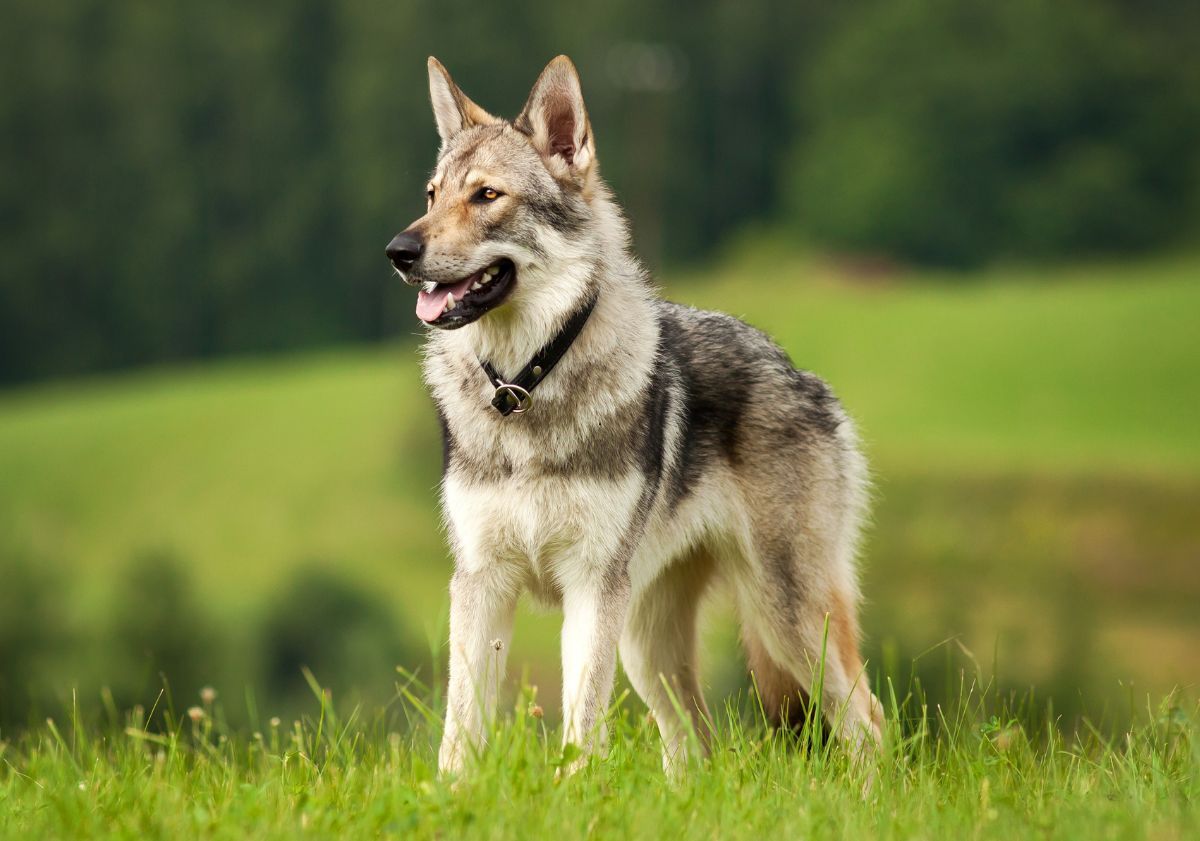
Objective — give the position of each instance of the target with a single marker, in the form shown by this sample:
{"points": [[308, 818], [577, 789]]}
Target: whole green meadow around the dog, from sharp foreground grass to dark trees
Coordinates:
{"points": [[1033, 581]]}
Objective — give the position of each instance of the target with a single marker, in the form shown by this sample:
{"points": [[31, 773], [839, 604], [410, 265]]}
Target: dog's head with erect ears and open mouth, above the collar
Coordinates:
{"points": [[506, 202]]}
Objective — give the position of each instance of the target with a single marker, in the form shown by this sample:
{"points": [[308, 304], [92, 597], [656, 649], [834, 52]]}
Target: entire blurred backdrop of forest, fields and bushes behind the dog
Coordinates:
{"points": [[981, 221]]}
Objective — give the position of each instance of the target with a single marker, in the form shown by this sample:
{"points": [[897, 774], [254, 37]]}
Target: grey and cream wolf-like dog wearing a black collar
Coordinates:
{"points": [[616, 454]]}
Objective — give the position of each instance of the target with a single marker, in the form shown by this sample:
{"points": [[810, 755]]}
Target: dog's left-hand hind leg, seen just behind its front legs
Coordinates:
{"points": [[658, 651]]}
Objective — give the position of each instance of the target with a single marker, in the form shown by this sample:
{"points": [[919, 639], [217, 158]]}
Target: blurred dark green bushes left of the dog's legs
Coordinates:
{"points": [[159, 645]]}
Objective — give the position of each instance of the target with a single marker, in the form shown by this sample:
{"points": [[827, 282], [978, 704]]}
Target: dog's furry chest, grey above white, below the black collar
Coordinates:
{"points": [[553, 491]]}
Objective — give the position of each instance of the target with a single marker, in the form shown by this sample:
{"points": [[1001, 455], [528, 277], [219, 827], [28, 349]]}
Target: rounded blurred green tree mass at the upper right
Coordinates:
{"points": [[953, 131]]}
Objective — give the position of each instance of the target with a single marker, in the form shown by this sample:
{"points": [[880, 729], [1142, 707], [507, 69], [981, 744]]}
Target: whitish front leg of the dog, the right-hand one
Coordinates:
{"points": [[593, 617]]}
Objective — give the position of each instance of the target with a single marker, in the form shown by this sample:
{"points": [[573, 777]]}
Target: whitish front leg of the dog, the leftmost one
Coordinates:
{"points": [[482, 608]]}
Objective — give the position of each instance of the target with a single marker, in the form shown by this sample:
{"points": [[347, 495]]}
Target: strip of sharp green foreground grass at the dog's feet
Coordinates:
{"points": [[985, 770]]}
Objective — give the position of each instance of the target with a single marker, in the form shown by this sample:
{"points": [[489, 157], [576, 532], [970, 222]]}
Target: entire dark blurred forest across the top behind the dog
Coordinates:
{"points": [[184, 181]]}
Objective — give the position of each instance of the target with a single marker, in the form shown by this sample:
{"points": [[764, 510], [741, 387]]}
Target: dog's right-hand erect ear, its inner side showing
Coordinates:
{"points": [[557, 122]]}
